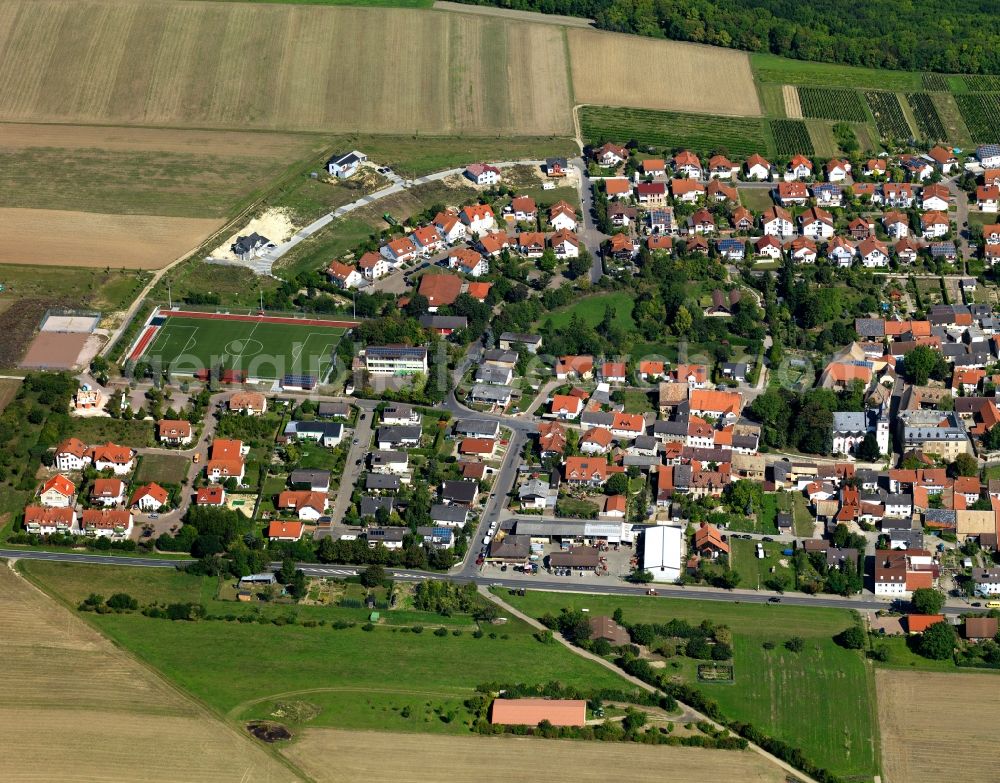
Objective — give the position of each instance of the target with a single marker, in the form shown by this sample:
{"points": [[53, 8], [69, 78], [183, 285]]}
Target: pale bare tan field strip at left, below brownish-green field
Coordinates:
{"points": [[61, 238]]}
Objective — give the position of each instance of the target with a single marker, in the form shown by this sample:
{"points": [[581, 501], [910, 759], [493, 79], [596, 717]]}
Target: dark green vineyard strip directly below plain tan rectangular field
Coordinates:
{"points": [[738, 136]]}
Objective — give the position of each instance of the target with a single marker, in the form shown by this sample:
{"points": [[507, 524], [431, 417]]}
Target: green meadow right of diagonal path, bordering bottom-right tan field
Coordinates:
{"points": [[822, 699]]}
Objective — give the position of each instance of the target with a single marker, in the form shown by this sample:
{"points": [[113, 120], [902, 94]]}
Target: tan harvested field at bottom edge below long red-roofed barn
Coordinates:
{"points": [[331, 756]]}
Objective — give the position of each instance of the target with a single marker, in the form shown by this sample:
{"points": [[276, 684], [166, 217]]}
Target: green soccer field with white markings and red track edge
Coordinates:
{"points": [[261, 348]]}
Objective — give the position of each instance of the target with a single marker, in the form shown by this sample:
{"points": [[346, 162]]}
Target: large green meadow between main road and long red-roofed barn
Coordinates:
{"points": [[357, 679]]}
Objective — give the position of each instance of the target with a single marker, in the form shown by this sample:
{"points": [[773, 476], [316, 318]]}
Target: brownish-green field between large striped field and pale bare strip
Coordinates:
{"points": [[142, 171]]}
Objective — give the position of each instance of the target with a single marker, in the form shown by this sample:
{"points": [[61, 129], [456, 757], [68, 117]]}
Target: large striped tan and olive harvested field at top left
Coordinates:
{"points": [[288, 67]]}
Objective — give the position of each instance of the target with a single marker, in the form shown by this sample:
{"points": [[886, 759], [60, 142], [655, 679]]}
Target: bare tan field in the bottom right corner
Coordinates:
{"points": [[938, 726]]}
